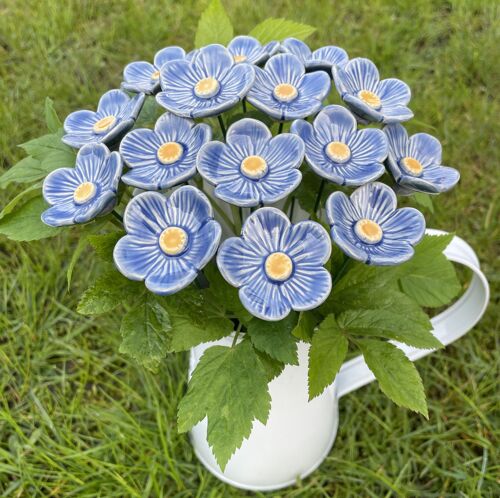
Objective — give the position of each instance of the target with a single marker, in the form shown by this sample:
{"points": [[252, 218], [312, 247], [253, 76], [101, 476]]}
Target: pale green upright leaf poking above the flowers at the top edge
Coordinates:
{"points": [[214, 26]]}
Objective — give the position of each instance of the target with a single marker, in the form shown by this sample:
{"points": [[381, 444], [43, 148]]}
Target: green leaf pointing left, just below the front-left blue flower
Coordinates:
{"points": [[108, 291]]}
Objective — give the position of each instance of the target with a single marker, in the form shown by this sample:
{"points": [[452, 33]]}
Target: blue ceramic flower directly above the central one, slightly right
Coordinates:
{"points": [[284, 91]]}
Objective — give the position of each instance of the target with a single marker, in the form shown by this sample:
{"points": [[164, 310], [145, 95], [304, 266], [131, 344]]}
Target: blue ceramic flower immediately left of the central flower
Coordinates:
{"points": [[165, 156]]}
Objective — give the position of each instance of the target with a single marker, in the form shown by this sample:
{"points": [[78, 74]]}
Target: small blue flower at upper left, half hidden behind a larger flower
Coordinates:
{"points": [[143, 76]]}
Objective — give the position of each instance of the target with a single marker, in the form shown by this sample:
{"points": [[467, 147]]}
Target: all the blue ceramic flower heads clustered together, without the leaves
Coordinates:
{"points": [[172, 231]]}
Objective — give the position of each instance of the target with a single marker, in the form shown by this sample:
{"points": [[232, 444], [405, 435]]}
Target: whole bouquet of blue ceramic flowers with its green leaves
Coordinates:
{"points": [[248, 163]]}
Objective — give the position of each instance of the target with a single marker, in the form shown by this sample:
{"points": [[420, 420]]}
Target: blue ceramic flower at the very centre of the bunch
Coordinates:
{"points": [[252, 167]]}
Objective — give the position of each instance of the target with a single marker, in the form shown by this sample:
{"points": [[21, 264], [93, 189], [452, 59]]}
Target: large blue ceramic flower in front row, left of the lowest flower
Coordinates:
{"points": [[168, 241]]}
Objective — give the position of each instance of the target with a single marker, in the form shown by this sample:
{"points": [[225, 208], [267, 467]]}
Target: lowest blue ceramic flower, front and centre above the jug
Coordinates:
{"points": [[276, 265]]}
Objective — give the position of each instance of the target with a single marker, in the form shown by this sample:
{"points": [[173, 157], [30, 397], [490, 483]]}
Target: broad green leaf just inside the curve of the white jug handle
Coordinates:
{"points": [[429, 278]]}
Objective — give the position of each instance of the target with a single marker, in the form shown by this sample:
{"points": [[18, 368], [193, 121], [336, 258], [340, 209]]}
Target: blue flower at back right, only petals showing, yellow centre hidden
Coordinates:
{"points": [[322, 58]]}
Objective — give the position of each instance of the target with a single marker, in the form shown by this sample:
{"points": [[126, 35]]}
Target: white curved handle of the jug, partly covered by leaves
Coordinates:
{"points": [[450, 325]]}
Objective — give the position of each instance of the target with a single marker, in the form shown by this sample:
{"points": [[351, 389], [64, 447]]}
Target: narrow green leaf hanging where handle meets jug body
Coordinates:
{"points": [[326, 355]]}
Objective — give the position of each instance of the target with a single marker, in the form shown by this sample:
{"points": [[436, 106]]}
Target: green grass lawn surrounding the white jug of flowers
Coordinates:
{"points": [[78, 419]]}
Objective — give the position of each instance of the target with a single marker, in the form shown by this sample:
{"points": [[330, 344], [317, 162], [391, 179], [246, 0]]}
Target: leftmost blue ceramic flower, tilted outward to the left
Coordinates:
{"points": [[79, 194]]}
